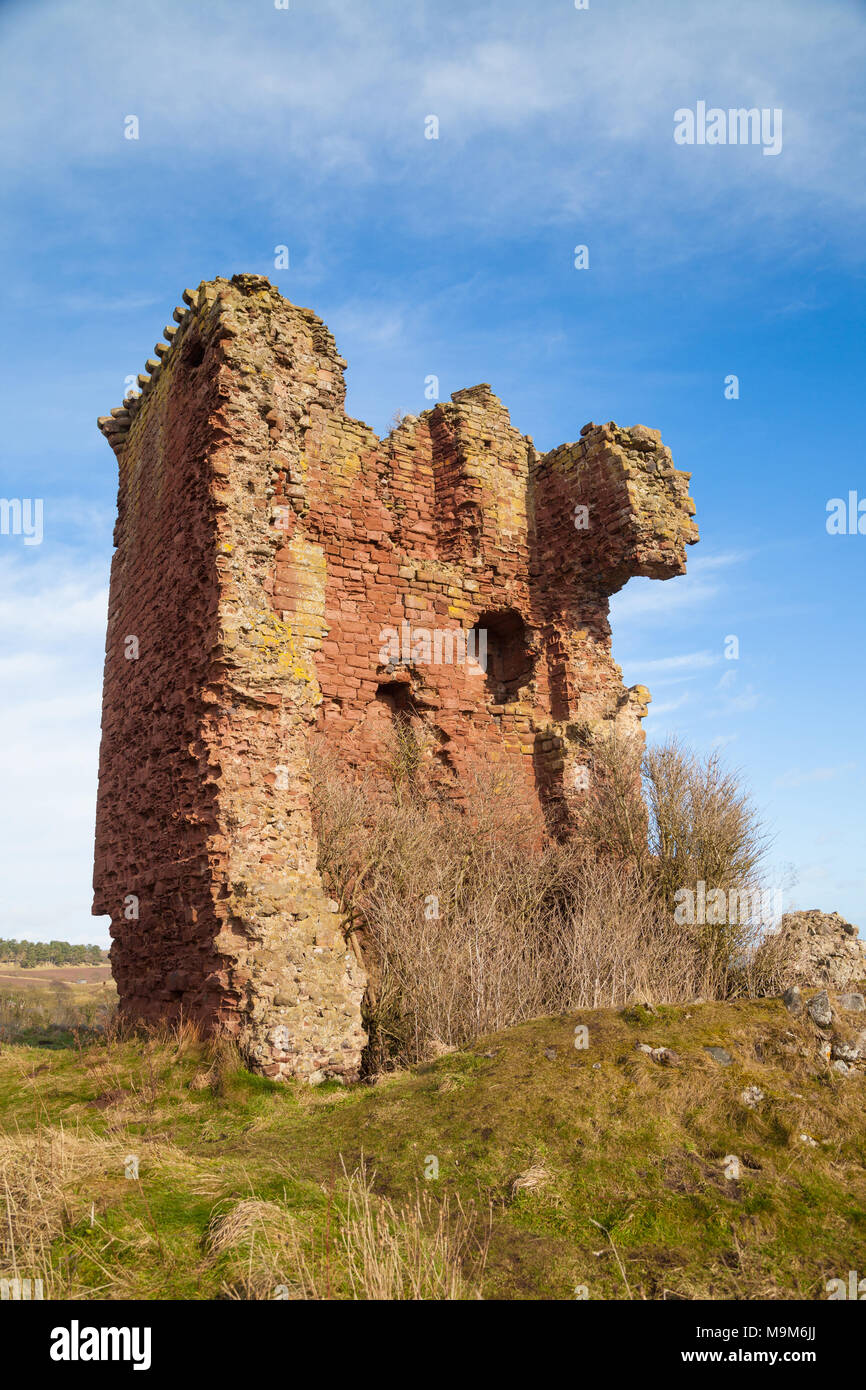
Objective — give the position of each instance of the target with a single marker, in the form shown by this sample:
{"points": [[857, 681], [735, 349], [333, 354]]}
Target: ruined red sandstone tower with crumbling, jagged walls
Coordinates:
{"points": [[283, 575]]}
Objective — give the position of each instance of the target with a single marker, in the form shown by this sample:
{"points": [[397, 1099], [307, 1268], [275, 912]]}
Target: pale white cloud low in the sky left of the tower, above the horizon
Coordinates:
{"points": [[52, 626]]}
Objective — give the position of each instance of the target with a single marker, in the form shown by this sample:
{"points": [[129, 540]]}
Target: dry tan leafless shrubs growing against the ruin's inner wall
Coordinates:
{"points": [[475, 922]]}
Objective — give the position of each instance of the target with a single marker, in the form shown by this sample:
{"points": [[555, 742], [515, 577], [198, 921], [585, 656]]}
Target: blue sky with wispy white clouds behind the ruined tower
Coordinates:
{"points": [[305, 127]]}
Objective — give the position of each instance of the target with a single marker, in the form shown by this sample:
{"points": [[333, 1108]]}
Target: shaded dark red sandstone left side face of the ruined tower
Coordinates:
{"points": [[156, 796]]}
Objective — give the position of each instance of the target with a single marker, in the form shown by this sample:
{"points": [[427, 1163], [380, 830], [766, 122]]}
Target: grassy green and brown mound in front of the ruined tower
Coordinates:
{"points": [[559, 1170]]}
